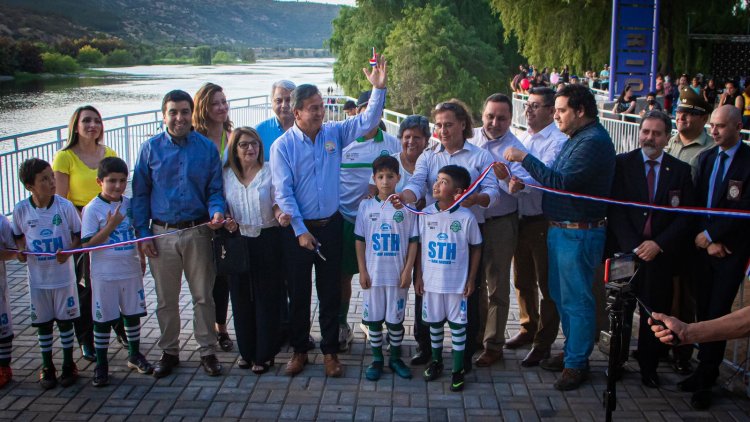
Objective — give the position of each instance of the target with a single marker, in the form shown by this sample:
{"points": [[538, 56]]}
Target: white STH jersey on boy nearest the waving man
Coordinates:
{"points": [[386, 232]]}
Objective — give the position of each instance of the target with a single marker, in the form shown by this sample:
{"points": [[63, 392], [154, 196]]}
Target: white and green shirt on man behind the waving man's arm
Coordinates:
{"points": [[356, 169]]}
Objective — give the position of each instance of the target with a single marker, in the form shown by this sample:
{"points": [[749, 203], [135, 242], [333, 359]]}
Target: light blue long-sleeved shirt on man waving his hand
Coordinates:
{"points": [[305, 173]]}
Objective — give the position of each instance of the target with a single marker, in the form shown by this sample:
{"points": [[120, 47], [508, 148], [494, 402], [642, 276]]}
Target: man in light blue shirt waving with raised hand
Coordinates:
{"points": [[305, 166]]}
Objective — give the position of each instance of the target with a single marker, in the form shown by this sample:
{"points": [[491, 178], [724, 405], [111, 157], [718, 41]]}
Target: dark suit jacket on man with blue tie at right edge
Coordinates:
{"points": [[732, 232]]}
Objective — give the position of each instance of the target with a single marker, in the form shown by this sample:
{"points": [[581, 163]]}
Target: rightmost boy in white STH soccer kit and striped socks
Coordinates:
{"points": [[450, 250]]}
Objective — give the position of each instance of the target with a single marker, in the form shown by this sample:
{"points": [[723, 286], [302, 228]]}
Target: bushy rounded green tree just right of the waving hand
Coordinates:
{"points": [[434, 58]]}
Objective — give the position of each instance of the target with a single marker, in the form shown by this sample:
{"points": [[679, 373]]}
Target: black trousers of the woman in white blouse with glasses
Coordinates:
{"points": [[255, 298]]}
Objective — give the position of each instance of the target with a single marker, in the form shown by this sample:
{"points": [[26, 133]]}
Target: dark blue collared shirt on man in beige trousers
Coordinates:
{"points": [[175, 183]]}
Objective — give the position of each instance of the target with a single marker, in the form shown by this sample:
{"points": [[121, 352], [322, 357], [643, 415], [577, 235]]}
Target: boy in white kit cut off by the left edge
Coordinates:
{"points": [[7, 244]]}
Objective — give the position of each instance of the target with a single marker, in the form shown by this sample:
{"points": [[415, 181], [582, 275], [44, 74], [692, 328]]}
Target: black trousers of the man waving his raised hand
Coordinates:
{"points": [[298, 263]]}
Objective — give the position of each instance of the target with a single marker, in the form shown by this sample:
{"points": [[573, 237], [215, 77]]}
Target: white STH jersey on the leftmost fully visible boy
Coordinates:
{"points": [[47, 230]]}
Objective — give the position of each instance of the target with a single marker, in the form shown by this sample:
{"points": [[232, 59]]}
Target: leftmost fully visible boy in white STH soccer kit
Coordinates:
{"points": [[49, 223]]}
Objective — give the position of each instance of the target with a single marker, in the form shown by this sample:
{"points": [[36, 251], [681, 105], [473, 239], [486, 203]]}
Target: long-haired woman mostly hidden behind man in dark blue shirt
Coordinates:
{"points": [[211, 119]]}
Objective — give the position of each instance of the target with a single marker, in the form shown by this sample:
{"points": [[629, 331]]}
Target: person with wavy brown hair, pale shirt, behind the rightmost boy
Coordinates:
{"points": [[454, 125]]}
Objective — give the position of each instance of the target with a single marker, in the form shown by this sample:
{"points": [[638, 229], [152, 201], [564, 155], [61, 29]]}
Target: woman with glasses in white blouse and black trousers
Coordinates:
{"points": [[253, 211]]}
